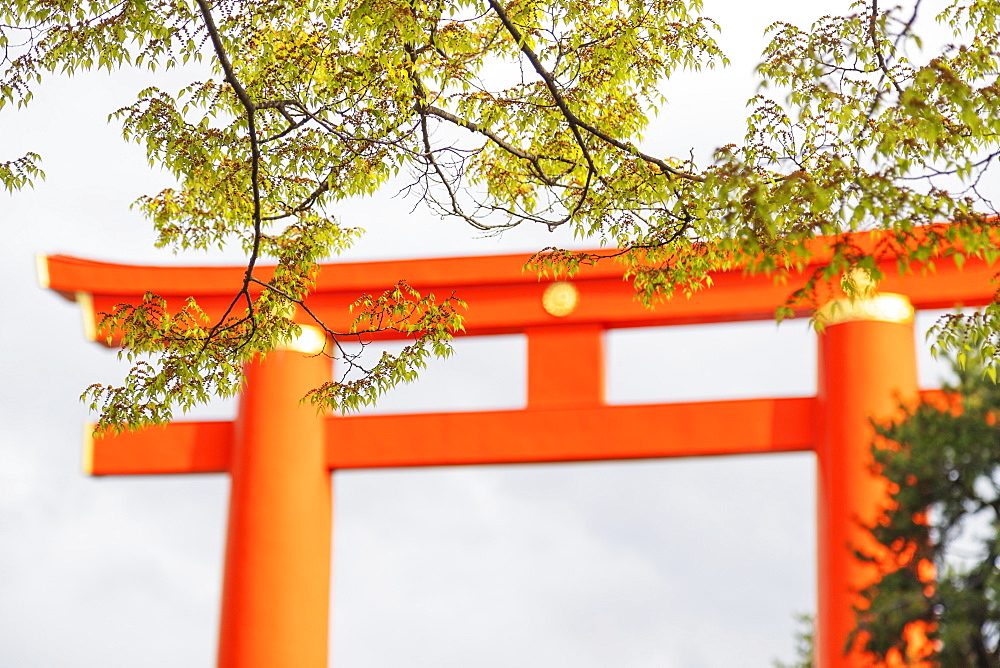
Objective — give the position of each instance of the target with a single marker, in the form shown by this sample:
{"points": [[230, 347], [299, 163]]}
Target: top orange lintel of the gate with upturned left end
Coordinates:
{"points": [[501, 297]]}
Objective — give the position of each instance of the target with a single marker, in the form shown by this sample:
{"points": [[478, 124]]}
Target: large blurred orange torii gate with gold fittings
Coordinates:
{"points": [[279, 454]]}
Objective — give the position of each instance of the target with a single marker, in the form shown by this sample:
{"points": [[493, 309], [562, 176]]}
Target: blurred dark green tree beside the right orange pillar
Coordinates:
{"points": [[941, 532]]}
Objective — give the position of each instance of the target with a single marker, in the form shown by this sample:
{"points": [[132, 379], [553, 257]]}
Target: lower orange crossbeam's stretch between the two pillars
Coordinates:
{"points": [[571, 434]]}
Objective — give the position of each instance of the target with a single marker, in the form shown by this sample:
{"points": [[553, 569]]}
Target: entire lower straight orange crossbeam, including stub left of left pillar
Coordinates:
{"points": [[490, 437]]}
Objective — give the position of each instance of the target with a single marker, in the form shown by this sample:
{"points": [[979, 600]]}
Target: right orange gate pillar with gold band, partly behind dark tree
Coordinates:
{"points": [[867, 365]]}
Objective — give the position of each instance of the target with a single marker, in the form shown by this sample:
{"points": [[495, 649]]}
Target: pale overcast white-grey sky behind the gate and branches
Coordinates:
{"points": [[685, 563]]}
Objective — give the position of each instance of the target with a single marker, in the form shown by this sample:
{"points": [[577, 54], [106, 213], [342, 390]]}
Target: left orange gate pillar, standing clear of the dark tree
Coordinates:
{"points": [[275, 601]]}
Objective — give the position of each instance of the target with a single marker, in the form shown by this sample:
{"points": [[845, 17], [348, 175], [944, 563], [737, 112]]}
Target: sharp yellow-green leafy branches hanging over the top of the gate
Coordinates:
{"points": [[503, 113]]}
